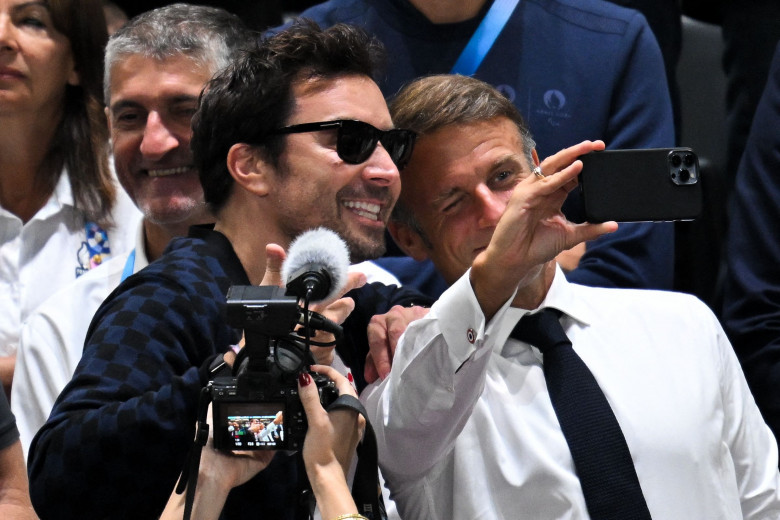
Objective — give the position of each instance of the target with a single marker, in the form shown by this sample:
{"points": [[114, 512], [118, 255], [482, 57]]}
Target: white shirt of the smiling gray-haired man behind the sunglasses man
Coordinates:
{"points": [[52, 339]]}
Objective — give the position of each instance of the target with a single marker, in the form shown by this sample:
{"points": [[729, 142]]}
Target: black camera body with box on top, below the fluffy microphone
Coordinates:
{"points": [[258, 408]]}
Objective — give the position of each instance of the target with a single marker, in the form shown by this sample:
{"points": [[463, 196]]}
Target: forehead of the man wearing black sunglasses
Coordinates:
{"points": [[342, 97]]}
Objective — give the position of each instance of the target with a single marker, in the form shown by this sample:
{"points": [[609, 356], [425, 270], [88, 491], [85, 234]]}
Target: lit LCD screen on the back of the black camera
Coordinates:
{"points": [[252, 426]]}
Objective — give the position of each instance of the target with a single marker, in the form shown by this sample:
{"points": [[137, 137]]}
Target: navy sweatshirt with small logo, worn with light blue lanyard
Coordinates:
{"points": [[576, 70]]}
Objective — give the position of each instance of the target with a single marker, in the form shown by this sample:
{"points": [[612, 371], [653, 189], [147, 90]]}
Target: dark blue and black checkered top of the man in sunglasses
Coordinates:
{"points": [[119, 432]]}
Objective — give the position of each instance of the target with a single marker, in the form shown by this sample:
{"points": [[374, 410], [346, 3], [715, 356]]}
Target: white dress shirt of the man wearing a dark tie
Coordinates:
{"points": [[466, 429]]}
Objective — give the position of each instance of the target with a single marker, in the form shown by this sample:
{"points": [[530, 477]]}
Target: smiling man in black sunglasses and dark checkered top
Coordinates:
{"points": [[293, 135]]}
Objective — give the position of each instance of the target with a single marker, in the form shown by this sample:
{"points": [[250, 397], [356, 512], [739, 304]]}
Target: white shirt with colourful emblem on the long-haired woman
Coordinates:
{"points": [[40, 256]]}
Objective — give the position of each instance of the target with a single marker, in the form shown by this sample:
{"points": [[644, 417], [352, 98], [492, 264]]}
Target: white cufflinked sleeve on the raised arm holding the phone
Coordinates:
{"points": [[437, 377]]}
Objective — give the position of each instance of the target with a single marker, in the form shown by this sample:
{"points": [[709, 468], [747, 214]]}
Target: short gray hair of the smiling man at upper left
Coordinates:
{"points": [[209, 36]]}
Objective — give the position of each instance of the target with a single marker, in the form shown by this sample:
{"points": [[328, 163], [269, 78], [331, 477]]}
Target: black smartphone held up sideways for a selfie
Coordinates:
{"points": [[653, 184]]}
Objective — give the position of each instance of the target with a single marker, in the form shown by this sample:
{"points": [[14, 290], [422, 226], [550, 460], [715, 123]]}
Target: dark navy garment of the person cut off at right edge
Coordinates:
{"points": [[751, 311]]}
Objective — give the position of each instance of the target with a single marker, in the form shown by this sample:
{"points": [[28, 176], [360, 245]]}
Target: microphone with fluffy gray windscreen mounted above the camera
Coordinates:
{"points": [[316, 264]]}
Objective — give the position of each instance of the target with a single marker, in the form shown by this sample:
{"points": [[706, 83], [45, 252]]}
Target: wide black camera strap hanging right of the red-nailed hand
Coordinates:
{"points": [[365, 488]]}
